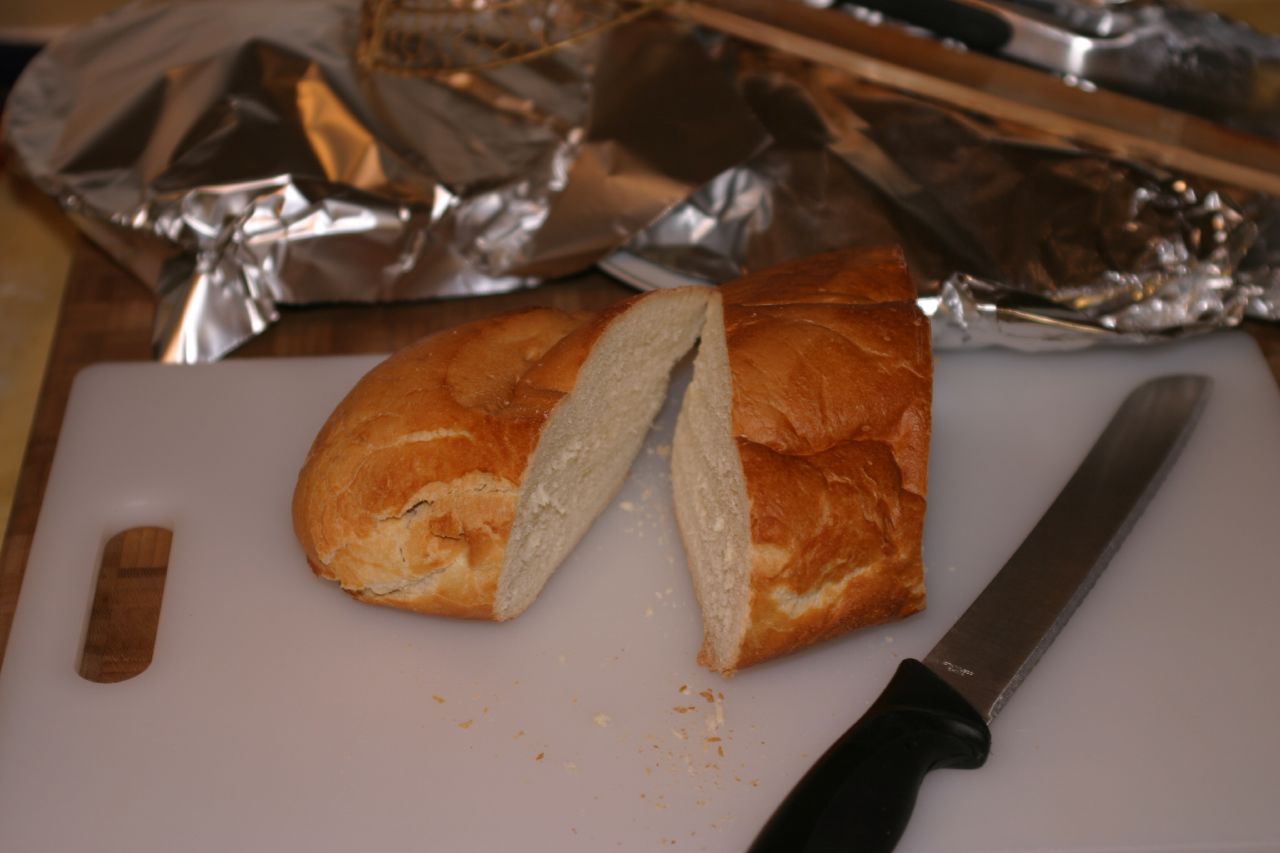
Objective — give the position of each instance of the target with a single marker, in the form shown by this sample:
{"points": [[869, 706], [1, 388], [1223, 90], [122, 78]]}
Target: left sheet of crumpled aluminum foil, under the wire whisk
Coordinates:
{"points": [[236, 158]]}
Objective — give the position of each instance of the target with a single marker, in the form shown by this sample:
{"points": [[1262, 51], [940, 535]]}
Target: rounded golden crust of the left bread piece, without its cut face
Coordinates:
{"points": [[409, 494]]}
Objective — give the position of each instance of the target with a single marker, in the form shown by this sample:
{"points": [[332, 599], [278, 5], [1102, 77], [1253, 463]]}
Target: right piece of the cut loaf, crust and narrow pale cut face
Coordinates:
{"points": [[801, 457]]}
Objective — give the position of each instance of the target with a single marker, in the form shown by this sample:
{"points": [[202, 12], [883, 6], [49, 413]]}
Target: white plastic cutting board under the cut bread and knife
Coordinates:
{"points": [[280, 715]]}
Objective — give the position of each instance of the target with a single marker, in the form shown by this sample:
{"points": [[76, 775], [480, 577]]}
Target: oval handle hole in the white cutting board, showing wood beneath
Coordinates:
{"points": [[122, 624]]}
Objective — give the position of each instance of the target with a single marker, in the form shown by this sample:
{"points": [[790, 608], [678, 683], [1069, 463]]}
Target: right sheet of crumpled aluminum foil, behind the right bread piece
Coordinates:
{"points": [[1014, 239]]}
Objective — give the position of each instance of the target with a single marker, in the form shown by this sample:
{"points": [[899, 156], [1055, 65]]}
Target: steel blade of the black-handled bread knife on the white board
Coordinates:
{"points": [[999, 640]]}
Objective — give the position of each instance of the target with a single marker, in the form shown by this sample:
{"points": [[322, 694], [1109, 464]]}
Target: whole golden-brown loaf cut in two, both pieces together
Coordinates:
{"points": [[458, 475]]}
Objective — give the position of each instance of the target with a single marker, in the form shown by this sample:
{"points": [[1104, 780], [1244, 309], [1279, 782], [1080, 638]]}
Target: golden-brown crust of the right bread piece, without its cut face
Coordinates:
{"points": [[833, 385]]}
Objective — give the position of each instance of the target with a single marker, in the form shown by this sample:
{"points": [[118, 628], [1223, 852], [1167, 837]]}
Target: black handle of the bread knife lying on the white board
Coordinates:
{"points": [[861, 793]]}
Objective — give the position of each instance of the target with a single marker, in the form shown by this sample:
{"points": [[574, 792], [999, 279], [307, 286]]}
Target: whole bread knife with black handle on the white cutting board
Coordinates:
{"points": [[935, 713]]}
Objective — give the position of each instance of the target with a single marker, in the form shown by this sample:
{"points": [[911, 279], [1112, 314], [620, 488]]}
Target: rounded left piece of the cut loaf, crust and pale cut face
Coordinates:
{"points": [[459, 473]]}
